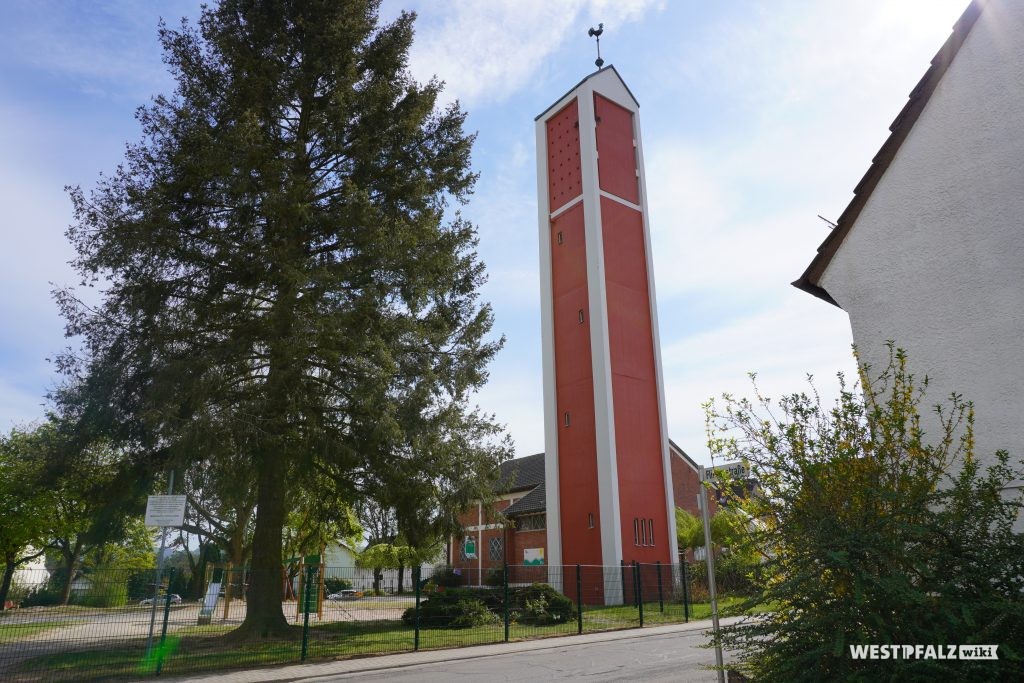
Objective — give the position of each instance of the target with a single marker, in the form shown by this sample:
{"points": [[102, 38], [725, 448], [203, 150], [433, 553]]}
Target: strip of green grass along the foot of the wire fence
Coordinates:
{"points": [[199, 649]]}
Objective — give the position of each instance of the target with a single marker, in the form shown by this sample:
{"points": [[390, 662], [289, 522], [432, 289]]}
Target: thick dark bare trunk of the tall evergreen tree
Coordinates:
{"points": [[265, 616]]}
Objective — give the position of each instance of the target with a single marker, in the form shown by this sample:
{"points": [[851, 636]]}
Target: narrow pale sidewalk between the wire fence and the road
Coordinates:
{"points": [[387, 662]]}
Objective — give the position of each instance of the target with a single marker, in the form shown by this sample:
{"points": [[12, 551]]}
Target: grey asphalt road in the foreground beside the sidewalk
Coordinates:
{"points": [[652, 659]]}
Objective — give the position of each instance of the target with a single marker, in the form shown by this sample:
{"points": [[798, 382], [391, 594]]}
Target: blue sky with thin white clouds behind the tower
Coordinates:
{"points": [[756, 118]]}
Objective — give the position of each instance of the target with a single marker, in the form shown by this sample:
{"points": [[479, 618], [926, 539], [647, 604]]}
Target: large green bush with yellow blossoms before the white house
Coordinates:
{"points": [[876, 533]]}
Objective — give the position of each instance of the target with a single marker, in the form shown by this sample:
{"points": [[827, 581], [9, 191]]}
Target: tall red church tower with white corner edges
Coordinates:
{"points": [[609, 482]]}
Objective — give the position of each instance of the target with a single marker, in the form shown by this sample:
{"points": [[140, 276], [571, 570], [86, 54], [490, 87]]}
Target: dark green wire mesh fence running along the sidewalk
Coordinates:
{"points": [[126, 624]]}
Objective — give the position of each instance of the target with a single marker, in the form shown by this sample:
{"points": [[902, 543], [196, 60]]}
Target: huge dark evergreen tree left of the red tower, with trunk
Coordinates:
{"points": [[280, 273]]}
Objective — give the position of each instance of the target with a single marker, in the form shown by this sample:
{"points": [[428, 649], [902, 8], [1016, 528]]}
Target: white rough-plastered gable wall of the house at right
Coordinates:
{"points": [[935, 262]]}
